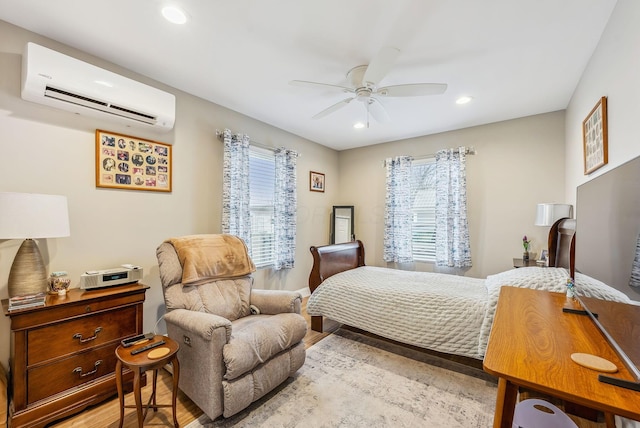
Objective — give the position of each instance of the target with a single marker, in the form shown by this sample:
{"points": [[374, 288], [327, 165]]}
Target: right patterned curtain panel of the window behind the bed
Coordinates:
{"points": [[453, 248]]}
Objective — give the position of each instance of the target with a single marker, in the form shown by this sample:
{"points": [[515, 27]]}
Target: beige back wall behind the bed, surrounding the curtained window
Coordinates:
{"points": [[519, 163]]}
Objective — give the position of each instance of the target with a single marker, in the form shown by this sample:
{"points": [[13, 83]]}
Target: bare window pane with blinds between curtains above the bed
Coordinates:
{"points": [[423, 210]]}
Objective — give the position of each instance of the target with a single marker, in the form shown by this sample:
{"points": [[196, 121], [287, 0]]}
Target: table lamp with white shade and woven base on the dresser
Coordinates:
{"points": [[28, 216]]}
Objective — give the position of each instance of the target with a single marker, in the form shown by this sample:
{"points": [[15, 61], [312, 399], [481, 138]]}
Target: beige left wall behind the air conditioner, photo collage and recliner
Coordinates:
{"points": [[44, 150]]}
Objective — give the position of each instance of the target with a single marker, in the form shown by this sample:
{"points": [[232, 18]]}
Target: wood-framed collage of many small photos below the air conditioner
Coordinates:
{"points": [[126, 162]]}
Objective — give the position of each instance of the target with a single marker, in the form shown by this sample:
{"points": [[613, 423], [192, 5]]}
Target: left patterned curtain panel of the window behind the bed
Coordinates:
{"points": [[397, 214]]}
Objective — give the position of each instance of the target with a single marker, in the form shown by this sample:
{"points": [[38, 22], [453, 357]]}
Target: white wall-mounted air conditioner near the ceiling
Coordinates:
{"points": [[58, 80]]}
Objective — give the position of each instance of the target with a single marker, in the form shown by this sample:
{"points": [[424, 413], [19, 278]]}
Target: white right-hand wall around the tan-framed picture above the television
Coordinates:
{"points": [[613, 71]]}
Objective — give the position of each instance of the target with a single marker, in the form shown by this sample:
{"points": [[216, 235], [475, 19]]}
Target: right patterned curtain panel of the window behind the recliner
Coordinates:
{"points": [[285, 208]]}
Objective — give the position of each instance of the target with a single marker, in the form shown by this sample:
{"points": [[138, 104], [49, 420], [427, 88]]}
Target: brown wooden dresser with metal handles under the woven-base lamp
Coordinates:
{"points": [[63, 354]]}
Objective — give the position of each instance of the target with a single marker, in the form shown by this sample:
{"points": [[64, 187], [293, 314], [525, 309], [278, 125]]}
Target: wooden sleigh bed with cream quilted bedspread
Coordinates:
{"points": [[441, 312]]}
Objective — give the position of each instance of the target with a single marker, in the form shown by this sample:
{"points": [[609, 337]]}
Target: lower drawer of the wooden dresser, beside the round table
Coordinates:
{"points": [[50, 379]]}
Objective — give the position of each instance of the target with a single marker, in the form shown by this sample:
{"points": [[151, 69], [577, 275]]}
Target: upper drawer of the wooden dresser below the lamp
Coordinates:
{"points": [[68, 337]]}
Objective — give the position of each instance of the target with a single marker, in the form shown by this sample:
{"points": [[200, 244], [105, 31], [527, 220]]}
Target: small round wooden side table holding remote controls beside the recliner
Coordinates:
{"points": [[152, 359]]}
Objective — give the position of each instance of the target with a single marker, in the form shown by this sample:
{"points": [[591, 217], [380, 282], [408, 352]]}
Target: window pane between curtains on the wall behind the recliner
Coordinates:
{"points": [[261, 205]]}
